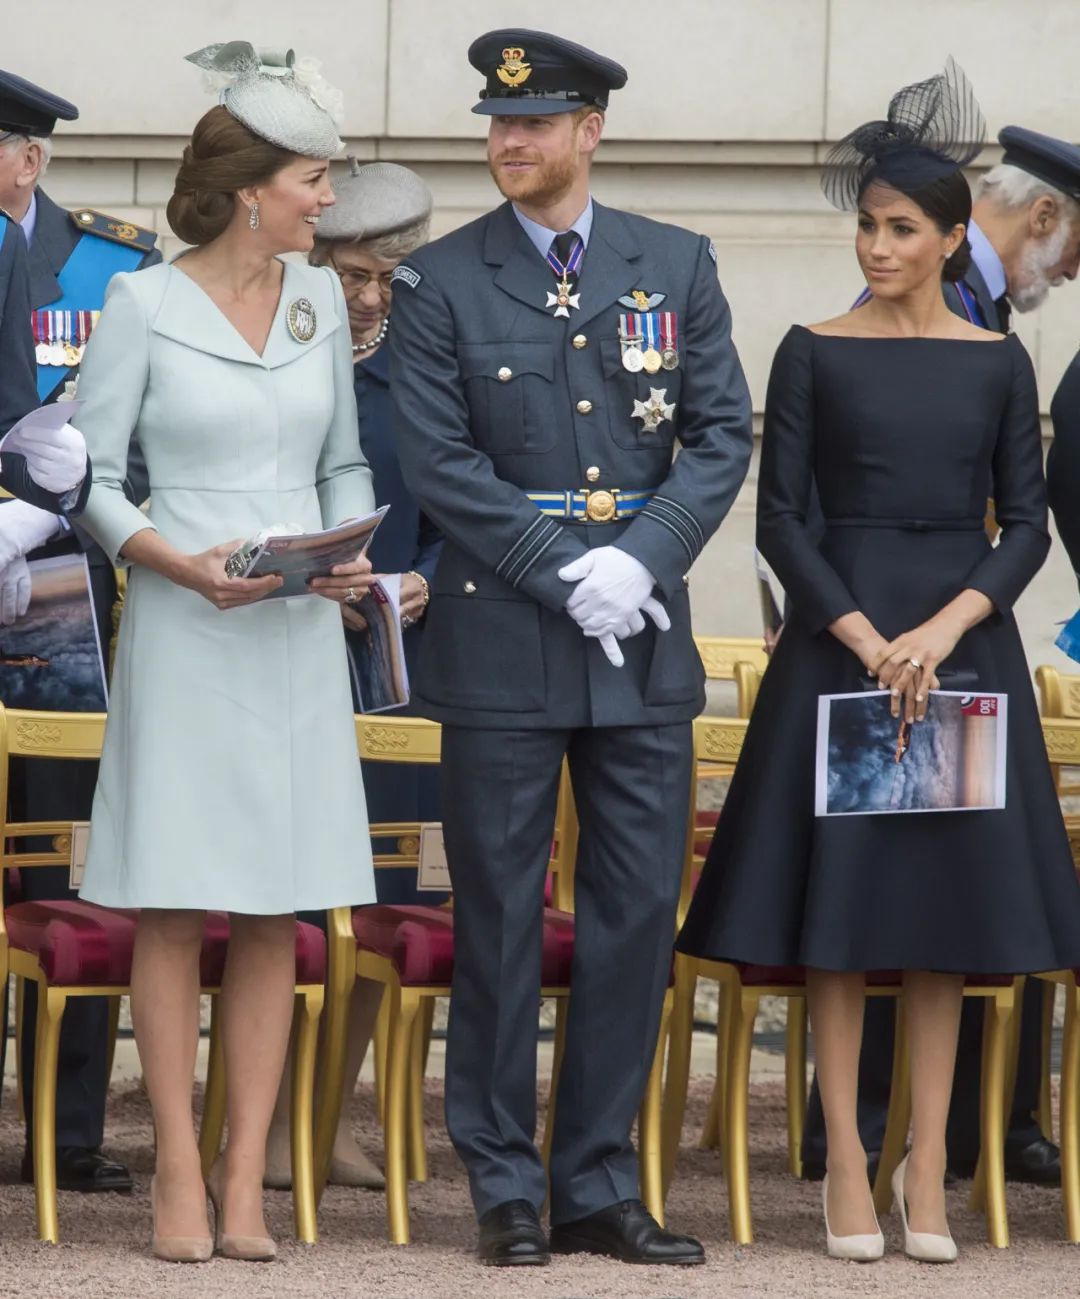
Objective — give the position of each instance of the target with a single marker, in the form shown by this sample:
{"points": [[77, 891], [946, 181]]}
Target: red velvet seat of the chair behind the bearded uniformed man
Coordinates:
{"points": [[419, 941]]}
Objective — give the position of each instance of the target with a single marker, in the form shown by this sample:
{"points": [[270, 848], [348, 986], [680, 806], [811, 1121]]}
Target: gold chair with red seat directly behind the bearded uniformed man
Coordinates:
{"points": [[361, 948]]}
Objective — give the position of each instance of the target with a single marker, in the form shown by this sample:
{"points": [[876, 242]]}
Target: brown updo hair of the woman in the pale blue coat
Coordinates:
{"points": [[224, 157]]}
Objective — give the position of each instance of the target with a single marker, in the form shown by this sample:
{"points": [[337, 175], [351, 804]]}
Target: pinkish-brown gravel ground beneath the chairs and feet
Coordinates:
{"points": [[106, 1239]]}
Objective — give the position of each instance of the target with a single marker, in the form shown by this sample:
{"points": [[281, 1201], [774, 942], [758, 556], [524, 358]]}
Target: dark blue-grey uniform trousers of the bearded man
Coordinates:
{"points": [[500, 793]]}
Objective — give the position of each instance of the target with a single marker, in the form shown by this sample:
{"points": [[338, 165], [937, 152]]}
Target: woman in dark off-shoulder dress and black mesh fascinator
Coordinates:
{"points": [[900, 414]]}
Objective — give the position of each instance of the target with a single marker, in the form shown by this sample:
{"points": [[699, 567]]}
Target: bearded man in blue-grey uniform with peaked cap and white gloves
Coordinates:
{"points": [[544, 362]]}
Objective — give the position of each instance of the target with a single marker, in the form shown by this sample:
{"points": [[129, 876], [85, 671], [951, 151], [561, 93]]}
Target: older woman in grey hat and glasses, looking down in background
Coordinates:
{"points": [[381, 215]]}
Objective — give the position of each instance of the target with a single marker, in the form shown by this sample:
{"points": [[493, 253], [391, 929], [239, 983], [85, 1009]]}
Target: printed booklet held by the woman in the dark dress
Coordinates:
{"points": [[870, 762]]}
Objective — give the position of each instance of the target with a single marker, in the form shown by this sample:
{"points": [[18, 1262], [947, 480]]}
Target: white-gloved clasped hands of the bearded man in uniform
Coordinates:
{"points": [[613, 596]]}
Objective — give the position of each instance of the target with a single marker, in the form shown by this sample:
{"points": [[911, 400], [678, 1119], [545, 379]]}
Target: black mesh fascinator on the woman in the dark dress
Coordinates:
{"points": [[934, 128]]}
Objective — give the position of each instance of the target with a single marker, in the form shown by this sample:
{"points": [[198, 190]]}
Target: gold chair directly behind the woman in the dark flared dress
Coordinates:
{"points": [[741, 990]]}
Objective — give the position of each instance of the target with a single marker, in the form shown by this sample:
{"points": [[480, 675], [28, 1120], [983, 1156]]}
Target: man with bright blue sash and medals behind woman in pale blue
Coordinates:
{"points": [[72, 258]]}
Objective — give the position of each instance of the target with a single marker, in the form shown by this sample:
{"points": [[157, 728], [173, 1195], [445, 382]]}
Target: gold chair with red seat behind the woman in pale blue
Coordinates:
{"points": [[73, 949]]}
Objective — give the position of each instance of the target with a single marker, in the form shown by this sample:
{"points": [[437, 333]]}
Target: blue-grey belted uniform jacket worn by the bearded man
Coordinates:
{"points": [[496, 398]]}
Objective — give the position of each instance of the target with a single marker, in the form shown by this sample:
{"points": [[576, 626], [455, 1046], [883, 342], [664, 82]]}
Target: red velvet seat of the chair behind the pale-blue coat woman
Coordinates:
{"points": [[80, 945]]}
